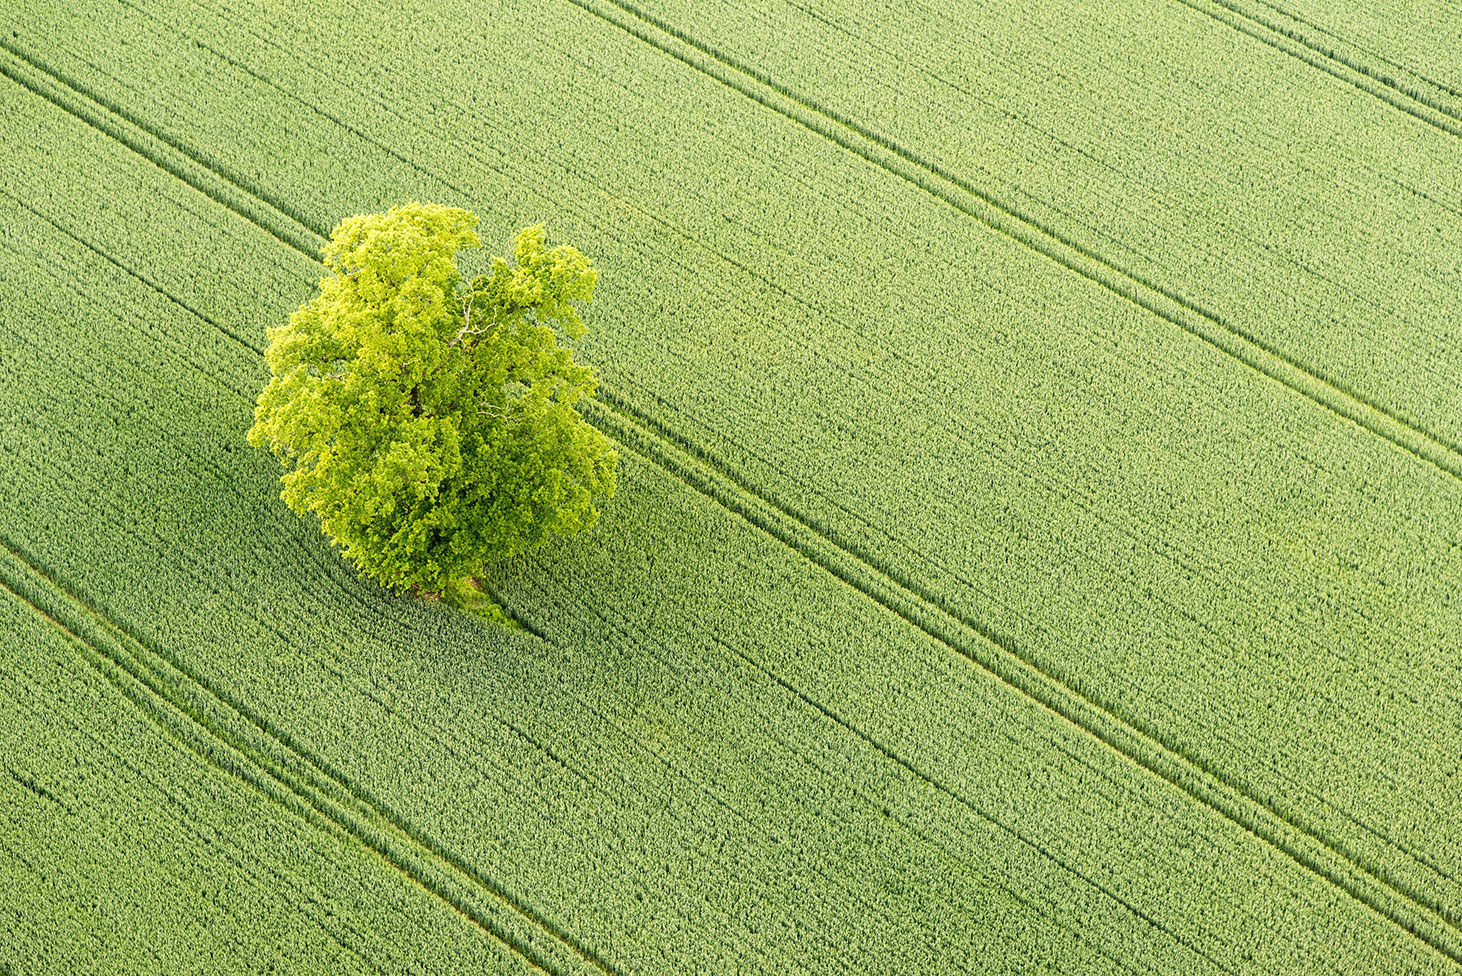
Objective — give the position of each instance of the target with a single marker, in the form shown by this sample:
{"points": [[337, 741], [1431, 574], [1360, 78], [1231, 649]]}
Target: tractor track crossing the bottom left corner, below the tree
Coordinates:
{"points": [[242, 743]]}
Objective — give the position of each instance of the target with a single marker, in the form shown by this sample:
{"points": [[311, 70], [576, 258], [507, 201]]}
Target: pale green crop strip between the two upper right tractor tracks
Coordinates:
{"points": [[1309, 216]]}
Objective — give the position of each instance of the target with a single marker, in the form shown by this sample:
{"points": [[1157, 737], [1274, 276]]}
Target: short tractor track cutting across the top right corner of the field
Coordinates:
{"points": [[1293, 40]]}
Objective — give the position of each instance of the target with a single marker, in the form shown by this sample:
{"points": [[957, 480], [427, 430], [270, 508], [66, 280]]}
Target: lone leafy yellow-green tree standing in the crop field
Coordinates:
{"points": [[429, 423]]}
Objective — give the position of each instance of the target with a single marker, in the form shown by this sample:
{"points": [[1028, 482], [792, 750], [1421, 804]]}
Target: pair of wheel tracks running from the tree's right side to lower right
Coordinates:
{"points": [[999, 655]]}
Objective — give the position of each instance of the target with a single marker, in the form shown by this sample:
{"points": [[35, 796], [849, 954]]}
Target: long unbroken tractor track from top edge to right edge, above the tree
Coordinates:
{"points": [[1012, 223]]}
